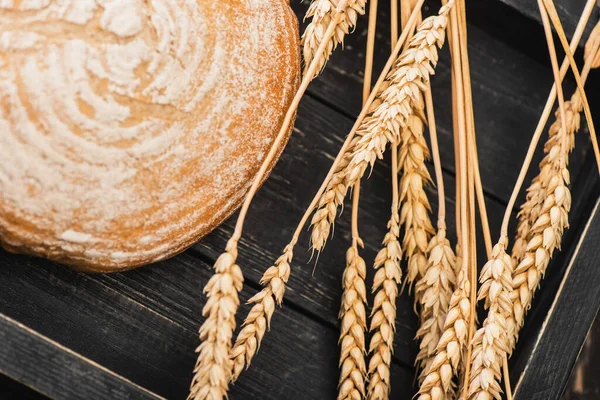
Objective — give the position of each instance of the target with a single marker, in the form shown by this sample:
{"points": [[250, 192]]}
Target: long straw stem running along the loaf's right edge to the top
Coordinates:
{"points": [[289, 116]]}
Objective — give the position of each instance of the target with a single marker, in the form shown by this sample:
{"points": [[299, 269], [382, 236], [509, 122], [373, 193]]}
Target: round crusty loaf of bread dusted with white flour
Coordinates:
{"points": [[131, 128]]}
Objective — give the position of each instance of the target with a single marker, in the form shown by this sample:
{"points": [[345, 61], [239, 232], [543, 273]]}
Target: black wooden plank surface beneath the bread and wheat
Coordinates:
{"points": [[133, 334]]}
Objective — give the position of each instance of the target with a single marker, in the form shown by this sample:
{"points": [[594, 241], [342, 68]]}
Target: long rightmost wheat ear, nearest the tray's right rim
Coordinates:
{"points": [[554, 202]]}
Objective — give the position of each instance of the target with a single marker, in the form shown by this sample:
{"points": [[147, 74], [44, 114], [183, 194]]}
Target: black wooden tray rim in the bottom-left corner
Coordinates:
{"points": [[56, 371]]}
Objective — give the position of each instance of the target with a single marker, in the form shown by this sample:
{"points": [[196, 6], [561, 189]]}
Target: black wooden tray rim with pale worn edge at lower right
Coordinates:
{"points": [[570, 317]]}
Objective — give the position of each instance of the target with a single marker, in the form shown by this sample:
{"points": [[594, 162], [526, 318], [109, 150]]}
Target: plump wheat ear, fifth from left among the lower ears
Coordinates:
{"points": [[434, 289]]}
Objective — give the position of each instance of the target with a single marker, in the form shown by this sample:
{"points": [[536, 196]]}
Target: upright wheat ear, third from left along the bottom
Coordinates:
{"points": [[353, 318]]}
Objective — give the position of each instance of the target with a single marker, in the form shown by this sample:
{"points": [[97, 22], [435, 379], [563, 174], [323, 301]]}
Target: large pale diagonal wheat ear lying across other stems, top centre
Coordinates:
{"points": [[391, 111]]}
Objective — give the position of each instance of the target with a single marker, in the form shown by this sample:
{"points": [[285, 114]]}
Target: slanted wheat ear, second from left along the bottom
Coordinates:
{"points": [[259, 318]]}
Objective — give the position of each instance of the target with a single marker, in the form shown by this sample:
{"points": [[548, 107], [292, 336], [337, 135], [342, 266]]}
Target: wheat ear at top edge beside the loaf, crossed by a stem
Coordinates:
{"points": [[321, 13]]}
